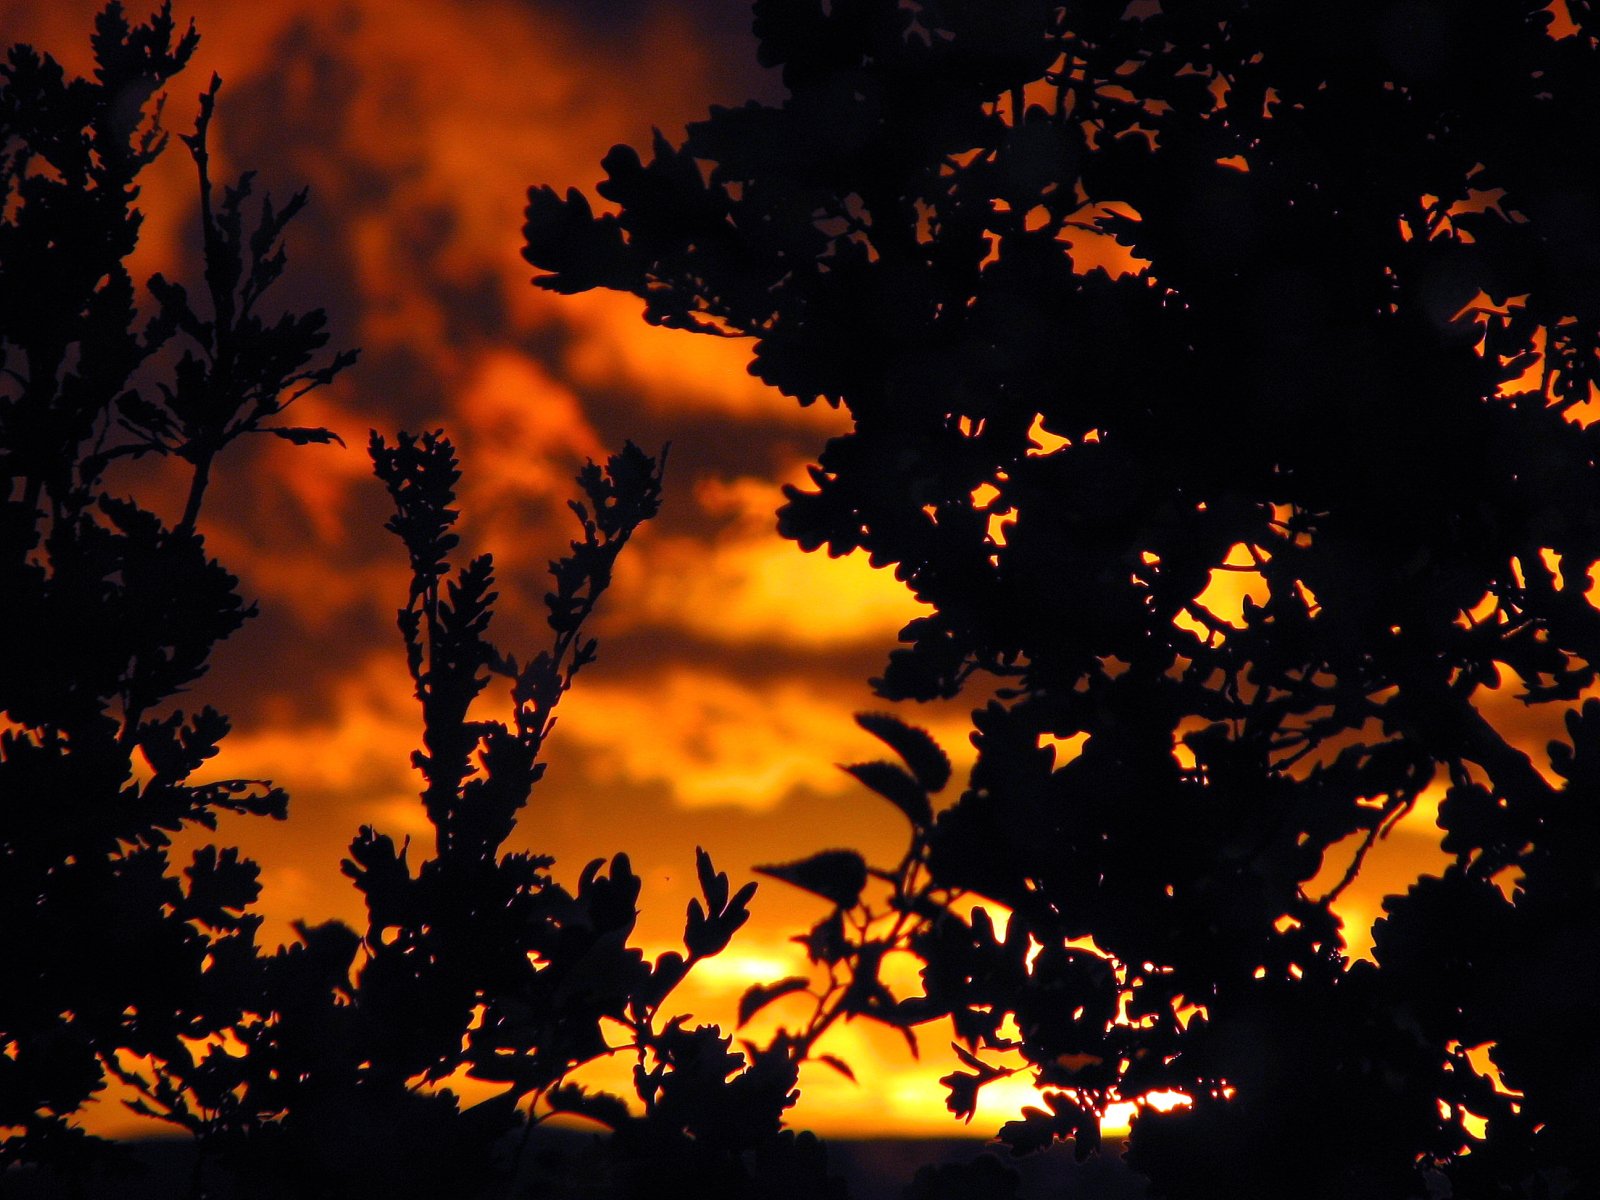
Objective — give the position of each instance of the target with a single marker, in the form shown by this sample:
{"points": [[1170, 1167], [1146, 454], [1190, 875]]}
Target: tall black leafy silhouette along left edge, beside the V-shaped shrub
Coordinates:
{"points": [[111, 612]]}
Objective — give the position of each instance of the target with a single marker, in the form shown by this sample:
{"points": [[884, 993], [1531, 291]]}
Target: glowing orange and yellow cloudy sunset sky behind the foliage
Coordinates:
{"points": [[730, 663]]}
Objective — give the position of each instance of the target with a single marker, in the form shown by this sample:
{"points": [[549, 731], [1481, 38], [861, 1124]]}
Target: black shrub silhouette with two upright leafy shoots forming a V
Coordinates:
{"points": [[478, 964]]}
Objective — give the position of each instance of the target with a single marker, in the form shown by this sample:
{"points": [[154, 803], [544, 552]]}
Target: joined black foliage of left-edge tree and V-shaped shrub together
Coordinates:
{"points": [[327, 1068]]}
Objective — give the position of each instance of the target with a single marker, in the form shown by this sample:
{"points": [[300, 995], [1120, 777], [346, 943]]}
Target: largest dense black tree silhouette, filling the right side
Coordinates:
{"points": [[1124, 300]]}
